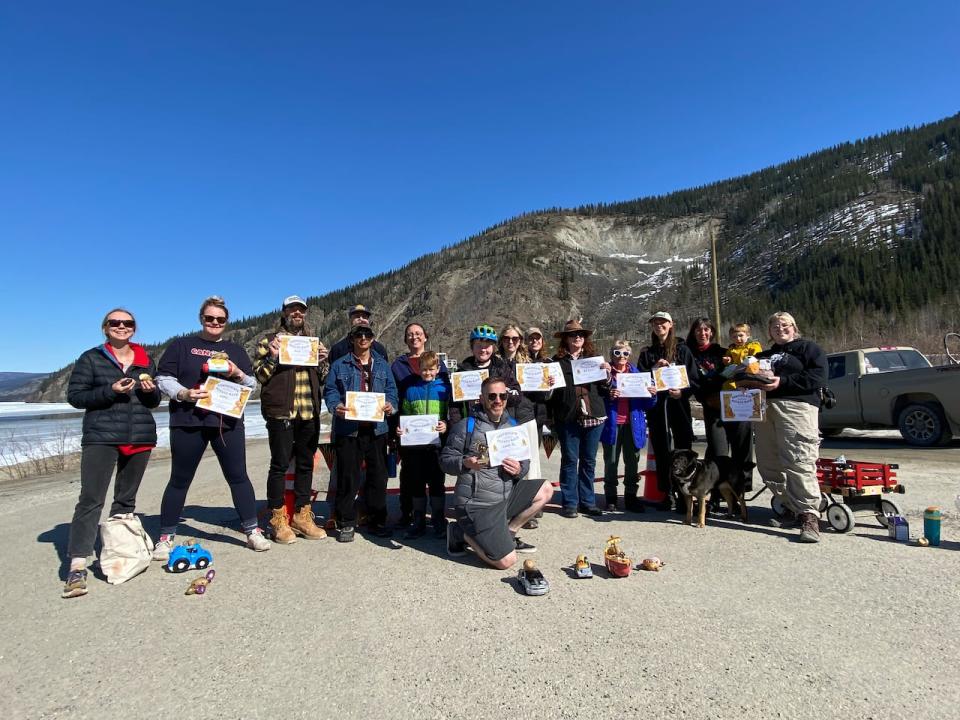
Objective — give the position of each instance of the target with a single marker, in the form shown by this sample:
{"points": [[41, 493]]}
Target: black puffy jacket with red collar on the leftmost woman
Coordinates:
{"points": [[111, 418]]}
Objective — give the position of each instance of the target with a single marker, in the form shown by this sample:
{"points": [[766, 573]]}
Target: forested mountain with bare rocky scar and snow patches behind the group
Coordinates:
{"points": [[859, 241]]}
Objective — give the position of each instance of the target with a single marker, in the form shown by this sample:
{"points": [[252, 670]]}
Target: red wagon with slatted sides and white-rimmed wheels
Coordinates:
{"points": [[849, 488]]}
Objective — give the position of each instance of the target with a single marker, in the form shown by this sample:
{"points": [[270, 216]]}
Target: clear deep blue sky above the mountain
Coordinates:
{"points": [[156, 152]]}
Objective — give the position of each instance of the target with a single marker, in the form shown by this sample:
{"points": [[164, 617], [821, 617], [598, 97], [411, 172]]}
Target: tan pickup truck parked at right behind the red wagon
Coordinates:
{"points": [[893, 387]]}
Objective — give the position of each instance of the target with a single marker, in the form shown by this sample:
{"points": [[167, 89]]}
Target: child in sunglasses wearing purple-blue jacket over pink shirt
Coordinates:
{"points": [[624, 433]]}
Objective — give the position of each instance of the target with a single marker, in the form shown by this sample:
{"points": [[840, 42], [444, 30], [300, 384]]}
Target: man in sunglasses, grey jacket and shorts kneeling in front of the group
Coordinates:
{"points": [[490, 503]]}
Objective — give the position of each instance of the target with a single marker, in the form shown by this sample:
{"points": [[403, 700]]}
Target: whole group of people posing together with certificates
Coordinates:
{"points": [[118, 385]]}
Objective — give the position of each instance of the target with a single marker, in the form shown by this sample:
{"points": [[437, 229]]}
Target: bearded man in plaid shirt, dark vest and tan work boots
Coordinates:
{"points": [[290, 404]]}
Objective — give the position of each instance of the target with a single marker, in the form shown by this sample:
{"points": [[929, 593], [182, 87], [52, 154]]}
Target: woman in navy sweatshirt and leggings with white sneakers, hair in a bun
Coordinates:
{"points": [[181, 373]]}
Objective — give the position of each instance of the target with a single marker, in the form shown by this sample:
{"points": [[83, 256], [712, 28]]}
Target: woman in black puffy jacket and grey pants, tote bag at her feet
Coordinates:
{"points": [[113, 383]]}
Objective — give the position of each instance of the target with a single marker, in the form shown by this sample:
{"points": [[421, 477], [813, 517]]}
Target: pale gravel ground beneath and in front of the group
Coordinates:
{"points": [[742, 622]]}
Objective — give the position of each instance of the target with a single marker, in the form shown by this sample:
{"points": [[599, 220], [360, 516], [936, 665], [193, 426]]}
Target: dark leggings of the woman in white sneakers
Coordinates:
{"points": [[186, 450]]}
